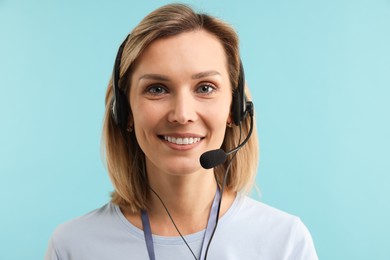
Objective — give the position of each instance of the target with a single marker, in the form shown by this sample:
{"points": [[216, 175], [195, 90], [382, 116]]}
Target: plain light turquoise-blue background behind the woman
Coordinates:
{"points": [[319, 72]]}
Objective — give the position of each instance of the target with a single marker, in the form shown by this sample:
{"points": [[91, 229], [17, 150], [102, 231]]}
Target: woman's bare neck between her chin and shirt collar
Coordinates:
{"points": [[188, 200]]}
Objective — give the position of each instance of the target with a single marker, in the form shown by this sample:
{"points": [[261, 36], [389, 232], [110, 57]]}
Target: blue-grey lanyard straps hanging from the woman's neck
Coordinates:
{"points": [[207, 236]]}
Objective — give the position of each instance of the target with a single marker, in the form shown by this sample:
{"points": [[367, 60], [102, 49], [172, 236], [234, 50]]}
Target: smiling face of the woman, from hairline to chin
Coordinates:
{"points": [[180, 98]]}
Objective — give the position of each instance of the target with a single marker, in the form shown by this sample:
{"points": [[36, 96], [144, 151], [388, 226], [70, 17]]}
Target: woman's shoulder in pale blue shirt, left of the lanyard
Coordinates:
{"points": [[94, 236]]}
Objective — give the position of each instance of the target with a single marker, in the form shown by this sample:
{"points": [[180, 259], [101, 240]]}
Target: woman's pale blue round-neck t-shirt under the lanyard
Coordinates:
{"points": [[248, 230]]}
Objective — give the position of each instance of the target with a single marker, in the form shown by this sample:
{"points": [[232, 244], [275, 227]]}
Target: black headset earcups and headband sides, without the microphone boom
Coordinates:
{"points": [[120, 107]]}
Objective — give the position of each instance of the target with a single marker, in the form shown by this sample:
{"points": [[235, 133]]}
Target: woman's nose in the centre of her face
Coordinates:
{"points": [[183, 109]]}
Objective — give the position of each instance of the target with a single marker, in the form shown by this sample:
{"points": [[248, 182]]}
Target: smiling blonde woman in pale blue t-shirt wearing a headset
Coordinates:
{"points": [[177, 93]]}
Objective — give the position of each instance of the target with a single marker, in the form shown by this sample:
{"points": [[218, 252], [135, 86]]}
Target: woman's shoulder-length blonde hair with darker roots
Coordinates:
{"points": [[125, 159]]}
